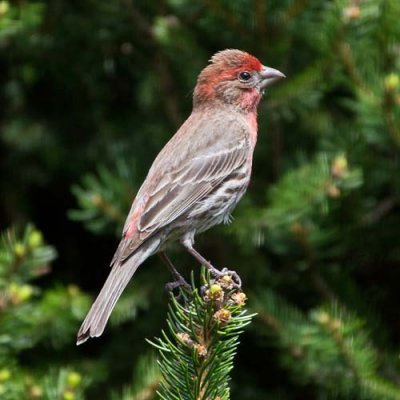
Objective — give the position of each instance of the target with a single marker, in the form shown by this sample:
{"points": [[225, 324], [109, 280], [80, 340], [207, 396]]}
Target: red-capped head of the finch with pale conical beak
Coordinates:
{"points": [[234, 77]]}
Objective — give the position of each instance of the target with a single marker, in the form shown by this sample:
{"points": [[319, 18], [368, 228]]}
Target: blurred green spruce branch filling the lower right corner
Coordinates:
{"points": [[330, 346]]}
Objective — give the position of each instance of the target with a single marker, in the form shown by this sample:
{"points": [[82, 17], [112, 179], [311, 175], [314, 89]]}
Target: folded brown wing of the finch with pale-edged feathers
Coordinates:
{"points": [[177, 191]]}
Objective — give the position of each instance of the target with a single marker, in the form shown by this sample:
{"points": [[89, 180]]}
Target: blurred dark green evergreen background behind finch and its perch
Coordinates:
{"points": [[90, 91]]}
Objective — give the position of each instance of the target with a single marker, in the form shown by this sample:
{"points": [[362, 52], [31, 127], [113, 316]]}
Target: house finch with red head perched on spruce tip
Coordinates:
{"points": [[196, 180]]}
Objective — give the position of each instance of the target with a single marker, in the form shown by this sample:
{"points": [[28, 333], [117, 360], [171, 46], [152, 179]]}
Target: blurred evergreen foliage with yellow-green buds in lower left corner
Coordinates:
{"points": [[30, 318]]}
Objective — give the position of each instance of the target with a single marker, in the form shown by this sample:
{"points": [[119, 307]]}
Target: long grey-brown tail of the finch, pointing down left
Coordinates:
{"points": [[100, 312]]}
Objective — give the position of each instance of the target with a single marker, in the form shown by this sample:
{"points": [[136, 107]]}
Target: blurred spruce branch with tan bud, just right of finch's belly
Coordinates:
{"points": [[299, 203]]}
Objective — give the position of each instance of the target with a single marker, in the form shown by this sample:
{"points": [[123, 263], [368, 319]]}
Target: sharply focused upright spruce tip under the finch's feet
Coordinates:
{"points": [[198, 349]]}
